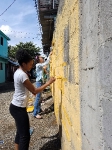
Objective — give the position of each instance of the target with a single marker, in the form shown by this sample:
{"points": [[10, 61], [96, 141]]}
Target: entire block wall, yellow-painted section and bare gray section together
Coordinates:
{"points": [[82, 65]]}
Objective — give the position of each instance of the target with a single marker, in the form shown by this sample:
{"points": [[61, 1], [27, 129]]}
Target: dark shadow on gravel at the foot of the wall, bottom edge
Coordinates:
{"points": [[54, 144]]}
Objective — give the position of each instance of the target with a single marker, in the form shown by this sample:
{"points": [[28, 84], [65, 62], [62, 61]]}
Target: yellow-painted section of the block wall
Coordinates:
{"points": [[65, 67]]}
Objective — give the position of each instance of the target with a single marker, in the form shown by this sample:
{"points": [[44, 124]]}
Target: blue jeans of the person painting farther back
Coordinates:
{"points": [[37, 101]]}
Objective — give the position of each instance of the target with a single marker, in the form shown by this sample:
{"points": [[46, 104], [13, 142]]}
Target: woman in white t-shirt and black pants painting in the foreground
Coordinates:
{"points": [[18, 104]]}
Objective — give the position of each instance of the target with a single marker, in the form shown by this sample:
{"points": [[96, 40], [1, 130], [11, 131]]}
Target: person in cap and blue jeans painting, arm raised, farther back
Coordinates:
{"points": [[39, 81]]}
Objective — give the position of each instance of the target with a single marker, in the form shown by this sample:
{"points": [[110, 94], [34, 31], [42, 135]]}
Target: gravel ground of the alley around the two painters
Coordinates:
{"points": [[45, 134]]}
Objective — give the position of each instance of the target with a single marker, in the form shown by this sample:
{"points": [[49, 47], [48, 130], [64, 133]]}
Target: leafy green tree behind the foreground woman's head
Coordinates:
{"points": [[28, 46]]}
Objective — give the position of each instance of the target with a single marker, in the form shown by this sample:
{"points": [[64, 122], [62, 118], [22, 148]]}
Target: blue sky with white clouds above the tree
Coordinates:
{"points": [[20, 22]]}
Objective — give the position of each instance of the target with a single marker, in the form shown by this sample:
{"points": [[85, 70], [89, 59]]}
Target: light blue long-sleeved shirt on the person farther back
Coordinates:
{"points": [[39, 69]]}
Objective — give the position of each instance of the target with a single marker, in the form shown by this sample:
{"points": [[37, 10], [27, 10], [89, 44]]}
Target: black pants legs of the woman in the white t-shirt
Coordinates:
{"points": [[22, 138]]}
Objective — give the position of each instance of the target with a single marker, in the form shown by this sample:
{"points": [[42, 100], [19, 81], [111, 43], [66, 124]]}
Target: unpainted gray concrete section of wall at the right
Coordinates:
{"points": [[96, 74]]}
